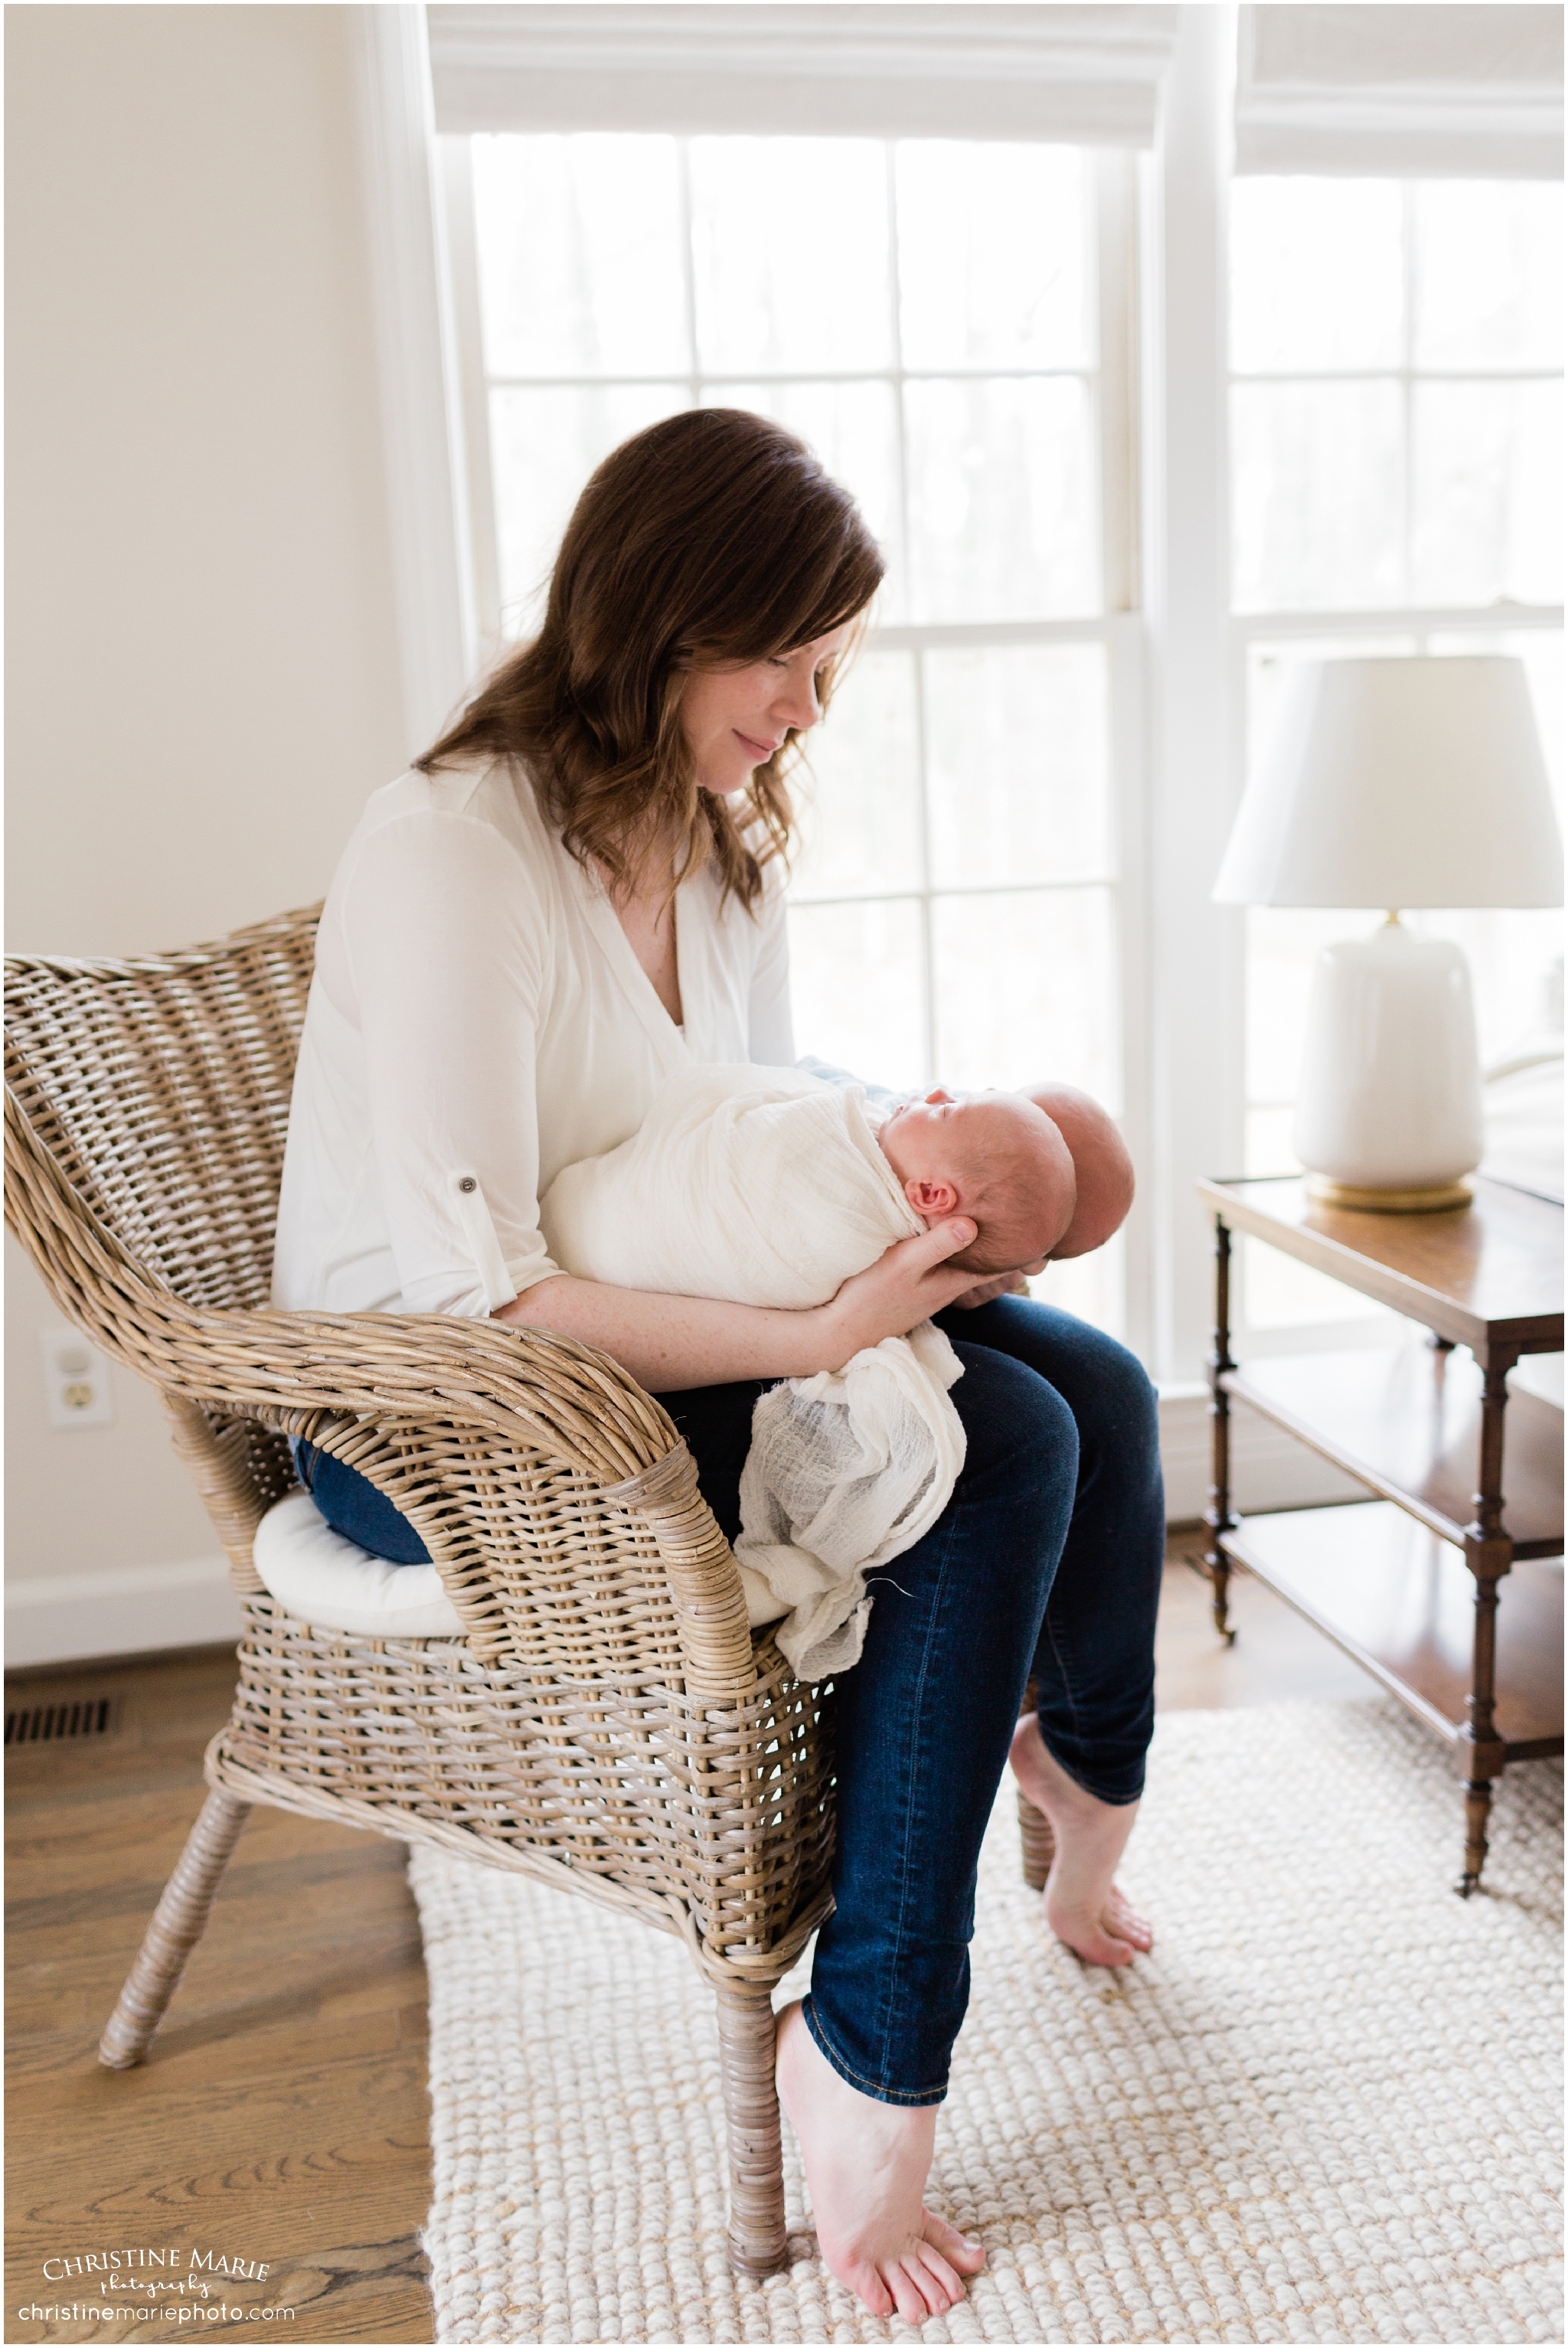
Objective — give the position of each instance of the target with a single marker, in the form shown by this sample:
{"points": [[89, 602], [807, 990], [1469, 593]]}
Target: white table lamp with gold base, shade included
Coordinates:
{"points": [[1395, 783]]}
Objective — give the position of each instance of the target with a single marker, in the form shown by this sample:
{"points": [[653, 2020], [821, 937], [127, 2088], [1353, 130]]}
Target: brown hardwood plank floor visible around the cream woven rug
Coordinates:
{"points": [[283, 2112]]}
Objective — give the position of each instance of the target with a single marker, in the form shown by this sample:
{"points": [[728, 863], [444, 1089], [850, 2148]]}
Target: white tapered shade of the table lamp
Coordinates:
{"points": [[1398, 783]]}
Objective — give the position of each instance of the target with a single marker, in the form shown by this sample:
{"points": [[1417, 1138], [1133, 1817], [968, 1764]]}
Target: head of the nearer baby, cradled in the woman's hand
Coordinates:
{"points": [[992, 1156]]}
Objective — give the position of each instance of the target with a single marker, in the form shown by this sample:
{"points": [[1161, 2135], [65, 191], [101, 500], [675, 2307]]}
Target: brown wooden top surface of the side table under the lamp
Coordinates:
{"points": [[1489, 1274]]}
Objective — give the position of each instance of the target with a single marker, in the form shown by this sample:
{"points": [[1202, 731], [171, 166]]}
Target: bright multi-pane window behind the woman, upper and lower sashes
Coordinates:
{"points": [[954, 910]]}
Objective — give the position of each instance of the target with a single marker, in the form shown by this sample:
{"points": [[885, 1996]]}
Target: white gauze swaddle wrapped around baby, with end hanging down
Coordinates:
{"points": [[766, 1187]]}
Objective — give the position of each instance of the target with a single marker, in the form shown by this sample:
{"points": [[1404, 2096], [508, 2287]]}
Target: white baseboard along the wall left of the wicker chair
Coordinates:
{"points": [[121, 1614]]}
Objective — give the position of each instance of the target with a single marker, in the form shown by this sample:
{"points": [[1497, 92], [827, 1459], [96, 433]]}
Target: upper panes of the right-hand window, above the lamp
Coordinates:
{"points": [[1395, 414]]}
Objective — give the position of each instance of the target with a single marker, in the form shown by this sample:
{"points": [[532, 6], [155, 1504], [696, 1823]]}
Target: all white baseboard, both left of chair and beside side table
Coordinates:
{"points": [[144, 1610]]}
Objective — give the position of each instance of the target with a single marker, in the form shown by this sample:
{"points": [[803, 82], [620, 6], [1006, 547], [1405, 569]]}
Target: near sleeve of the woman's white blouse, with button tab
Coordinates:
{"points": [[447, 957]]}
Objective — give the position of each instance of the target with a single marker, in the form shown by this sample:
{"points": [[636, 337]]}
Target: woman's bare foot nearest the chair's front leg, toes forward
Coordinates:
{"points": [[867, 2166]]}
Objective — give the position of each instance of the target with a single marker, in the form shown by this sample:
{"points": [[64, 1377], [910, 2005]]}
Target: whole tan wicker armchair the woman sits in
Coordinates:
{"points": [[607, 1722]]}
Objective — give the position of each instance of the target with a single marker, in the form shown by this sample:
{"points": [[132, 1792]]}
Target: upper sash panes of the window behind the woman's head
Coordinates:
{"points": [[628, 276]]}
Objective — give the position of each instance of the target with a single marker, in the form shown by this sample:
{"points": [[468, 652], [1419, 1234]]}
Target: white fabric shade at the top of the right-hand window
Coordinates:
{"points": [[1403, 93]]}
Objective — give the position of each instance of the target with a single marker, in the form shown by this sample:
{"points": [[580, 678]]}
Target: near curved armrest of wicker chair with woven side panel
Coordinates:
{"points": [[527, 1464]]}
